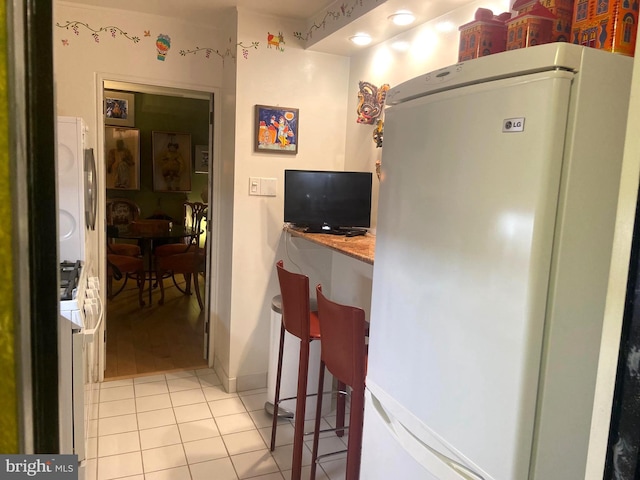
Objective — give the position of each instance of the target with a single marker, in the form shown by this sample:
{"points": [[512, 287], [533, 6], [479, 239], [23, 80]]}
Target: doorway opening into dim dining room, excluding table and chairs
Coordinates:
{"points": [[175, 335]]}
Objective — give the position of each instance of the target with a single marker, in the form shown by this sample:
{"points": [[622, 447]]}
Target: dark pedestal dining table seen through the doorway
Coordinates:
{"points": [[148, 239]]}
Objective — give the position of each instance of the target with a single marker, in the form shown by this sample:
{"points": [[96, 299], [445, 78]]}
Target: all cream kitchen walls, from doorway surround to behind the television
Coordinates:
{"points": [[322, 86]]}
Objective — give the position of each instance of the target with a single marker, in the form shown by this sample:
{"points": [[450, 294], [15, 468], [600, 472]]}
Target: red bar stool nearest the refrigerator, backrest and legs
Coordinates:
{"points": [[344, 353]]}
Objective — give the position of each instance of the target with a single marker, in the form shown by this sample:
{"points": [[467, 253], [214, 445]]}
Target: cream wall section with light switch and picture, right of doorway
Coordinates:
{"points": [[316, 83]]}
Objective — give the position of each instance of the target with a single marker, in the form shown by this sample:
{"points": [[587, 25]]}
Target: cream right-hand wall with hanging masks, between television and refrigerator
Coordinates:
{"points": [[429, 47]]}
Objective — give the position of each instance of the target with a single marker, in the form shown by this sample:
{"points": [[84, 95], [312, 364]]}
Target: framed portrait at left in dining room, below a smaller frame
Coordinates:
{"points": [[122, 157]]}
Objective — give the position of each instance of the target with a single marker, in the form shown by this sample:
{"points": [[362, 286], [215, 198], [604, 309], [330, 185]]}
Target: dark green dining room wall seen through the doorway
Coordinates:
{"points": [[162, 113]]}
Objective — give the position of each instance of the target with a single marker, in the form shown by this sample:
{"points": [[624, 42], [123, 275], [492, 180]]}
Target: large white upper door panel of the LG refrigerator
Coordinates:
{"points": [[465, 312]]}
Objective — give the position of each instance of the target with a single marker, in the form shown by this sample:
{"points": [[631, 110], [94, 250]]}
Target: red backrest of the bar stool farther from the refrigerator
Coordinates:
{"points": [[294, 290]]}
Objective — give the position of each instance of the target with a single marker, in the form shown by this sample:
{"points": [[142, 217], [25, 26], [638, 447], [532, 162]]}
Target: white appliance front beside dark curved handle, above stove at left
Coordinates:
{"points": [[70, 176]]}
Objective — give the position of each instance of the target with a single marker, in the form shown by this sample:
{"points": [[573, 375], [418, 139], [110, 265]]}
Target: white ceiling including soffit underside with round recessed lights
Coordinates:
{"points": [[374, 22]]}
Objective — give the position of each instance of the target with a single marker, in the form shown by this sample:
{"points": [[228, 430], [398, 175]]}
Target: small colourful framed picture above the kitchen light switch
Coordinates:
{"points": [[276, 130]]}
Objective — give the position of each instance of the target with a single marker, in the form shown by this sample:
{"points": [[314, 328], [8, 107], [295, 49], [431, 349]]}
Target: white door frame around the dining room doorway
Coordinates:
{"points": [[148, 85]]}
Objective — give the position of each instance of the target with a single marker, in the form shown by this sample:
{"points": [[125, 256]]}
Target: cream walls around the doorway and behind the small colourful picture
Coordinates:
{"points": [[250, 227]]}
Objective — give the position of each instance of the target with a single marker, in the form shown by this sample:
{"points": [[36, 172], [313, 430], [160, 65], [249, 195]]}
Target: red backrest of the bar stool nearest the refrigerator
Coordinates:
{"points": [[343, 347]]}
